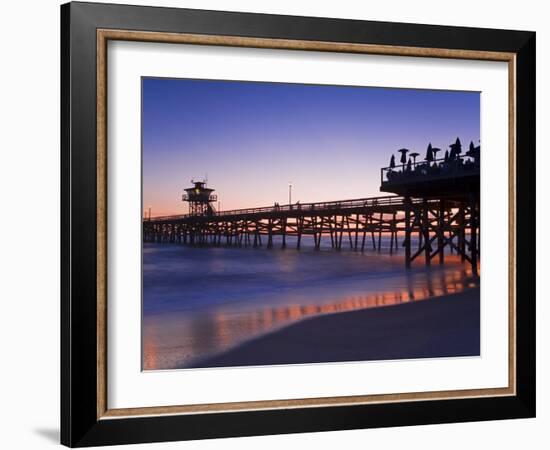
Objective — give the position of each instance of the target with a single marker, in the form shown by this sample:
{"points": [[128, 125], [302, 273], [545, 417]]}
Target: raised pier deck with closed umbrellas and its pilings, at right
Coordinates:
{"points": [[441, 202]]}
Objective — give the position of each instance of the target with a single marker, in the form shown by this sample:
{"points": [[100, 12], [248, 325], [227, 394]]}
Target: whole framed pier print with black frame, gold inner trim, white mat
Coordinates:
{"points": [[277, 224]]}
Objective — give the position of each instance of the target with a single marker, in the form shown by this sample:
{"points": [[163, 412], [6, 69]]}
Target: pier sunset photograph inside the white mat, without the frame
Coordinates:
{"points": [[287, 223]]}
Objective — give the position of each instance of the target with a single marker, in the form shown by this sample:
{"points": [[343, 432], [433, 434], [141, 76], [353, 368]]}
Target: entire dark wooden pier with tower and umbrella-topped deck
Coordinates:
{"points": [[435, 200]]}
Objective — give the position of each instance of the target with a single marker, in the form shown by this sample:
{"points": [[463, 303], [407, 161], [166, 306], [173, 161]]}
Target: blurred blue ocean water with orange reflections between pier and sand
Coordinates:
{"points": [[202, 301]]}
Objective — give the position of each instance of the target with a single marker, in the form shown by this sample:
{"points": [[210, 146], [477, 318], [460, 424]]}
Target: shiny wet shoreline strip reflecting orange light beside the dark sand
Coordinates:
{"points": [[177, 339]]}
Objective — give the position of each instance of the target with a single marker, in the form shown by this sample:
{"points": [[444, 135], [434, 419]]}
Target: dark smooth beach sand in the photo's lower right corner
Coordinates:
{"points": [[445, 326]]}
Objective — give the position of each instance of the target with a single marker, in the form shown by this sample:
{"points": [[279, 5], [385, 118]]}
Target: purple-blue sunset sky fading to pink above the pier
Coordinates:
{"points": [[252, 138]]}
